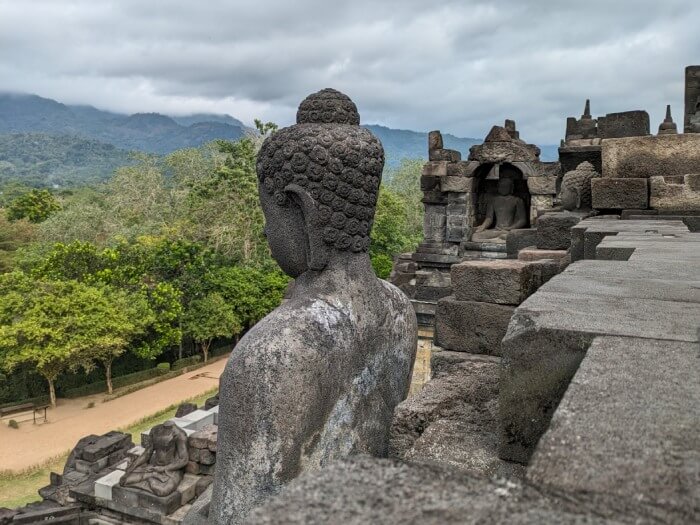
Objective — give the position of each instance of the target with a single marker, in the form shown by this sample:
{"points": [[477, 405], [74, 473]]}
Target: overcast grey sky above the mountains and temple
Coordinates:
{"points": [[459, 66]]}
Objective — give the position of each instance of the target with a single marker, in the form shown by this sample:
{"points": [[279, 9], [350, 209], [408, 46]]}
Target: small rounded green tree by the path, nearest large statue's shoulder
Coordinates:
{"points": [[208, 318]]}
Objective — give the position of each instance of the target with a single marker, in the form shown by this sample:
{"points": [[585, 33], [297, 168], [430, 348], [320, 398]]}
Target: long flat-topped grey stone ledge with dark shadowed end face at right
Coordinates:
{"points": [[646, 297]]}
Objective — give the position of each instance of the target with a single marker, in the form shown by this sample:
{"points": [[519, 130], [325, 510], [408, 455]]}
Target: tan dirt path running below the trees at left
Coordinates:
{"points": [[70, 420]]}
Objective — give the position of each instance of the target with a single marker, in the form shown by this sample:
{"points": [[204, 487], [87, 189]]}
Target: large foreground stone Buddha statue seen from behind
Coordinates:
{"points": [[318, 378]]}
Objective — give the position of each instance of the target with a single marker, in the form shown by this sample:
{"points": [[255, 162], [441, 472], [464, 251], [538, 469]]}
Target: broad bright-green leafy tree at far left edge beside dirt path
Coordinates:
{"points": [[58, 325]]}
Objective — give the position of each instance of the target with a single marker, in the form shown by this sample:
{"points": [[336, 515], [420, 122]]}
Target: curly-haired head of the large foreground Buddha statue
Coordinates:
{"points": [[318, 182]]}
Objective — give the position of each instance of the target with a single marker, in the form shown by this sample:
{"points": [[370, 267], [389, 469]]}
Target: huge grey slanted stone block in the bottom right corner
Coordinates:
{"points": [[626, 435]]}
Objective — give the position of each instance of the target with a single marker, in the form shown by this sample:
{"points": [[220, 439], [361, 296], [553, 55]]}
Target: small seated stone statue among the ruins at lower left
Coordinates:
{"points": [[160, 468]]}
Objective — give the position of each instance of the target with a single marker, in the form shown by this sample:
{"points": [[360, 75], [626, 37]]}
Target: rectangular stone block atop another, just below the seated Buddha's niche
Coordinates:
{"points": [[499, 281]]}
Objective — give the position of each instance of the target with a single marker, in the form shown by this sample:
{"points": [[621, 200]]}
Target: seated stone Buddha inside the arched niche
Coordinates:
{"points": [[504, 212]]}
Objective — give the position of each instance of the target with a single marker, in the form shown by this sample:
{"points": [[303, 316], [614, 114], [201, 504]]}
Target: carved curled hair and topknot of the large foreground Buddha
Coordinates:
{"points": [[336, 161]]}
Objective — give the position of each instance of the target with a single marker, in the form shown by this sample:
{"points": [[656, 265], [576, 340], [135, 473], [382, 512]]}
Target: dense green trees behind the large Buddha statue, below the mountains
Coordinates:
{"points": [[167, 254]]}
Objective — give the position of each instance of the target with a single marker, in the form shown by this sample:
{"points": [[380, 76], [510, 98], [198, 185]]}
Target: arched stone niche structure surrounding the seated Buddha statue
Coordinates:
{"points": [[455, 196]]}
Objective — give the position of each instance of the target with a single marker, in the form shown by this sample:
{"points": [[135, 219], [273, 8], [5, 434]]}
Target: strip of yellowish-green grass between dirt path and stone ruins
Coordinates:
{"points": [[18, 489]]}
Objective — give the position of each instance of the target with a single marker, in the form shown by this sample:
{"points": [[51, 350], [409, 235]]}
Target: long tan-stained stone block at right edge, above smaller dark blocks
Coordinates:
{"points": [[643, 157]]}
